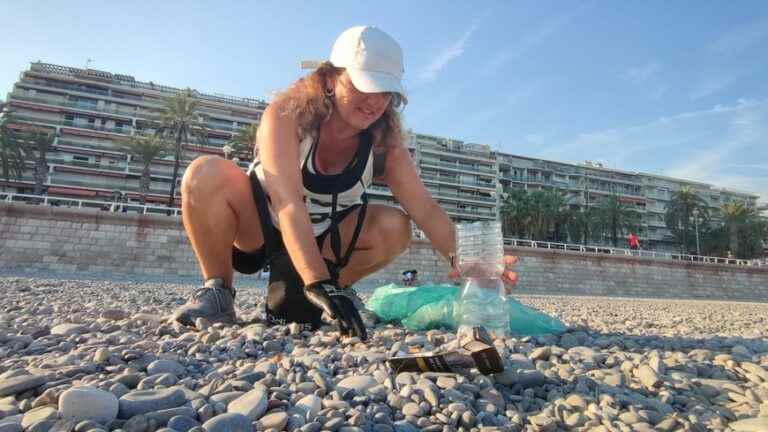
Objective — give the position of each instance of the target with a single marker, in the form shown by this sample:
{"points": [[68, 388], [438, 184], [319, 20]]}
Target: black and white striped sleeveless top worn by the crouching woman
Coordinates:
{"points": [[319, 189]]}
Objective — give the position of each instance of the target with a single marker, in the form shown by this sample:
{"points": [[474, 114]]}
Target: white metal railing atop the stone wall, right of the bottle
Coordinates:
{"points": [[567, 247]]}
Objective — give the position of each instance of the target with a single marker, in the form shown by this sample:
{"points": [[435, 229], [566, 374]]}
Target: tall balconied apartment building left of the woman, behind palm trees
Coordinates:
{"points": [[90, 111]]}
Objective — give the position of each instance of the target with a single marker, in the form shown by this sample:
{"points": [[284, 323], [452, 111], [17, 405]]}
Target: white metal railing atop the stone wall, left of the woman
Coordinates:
{"points": [[92, 204]]}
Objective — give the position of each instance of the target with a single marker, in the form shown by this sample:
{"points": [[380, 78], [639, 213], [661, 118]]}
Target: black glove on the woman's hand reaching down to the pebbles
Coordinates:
{"points": [[333, 301]]}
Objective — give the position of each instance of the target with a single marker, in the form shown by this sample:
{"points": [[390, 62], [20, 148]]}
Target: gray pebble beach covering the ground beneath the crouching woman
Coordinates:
{"points": [[101, 355]]}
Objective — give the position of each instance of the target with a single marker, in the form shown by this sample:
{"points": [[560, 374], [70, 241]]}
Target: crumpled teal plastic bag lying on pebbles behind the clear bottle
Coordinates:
{"points": [[437, 306]]}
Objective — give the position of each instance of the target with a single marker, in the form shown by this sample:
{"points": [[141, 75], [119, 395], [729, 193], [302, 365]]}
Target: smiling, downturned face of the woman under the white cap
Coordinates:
{"points": [[356, 108]]}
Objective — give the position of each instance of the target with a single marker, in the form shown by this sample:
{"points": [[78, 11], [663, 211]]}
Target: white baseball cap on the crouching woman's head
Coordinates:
{"points": [[372, 58]]}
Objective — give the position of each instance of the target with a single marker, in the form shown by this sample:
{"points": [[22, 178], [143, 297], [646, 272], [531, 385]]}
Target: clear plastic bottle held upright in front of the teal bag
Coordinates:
{"points": [[480, 252]]}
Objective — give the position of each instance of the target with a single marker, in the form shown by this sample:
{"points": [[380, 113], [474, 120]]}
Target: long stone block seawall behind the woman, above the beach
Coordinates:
{"points": [[56, 239]]}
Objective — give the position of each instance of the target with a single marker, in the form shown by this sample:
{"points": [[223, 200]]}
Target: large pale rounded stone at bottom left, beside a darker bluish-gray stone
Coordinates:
{"points": [[88, 403]]}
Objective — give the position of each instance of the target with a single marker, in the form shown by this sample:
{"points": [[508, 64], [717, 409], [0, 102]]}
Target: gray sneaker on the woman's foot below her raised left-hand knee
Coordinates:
{"points": [[213, 301]]}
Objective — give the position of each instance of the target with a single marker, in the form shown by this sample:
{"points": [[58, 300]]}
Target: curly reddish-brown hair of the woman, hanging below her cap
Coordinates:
{"points": [[306, 101]]}
